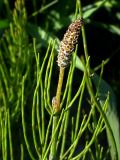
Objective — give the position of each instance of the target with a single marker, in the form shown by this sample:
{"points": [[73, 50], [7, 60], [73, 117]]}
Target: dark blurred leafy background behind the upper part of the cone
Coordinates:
{"points": [[46, 19]]}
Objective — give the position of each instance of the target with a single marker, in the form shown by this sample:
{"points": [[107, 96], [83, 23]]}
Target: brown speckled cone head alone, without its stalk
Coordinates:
{"points": [[68, 43]]}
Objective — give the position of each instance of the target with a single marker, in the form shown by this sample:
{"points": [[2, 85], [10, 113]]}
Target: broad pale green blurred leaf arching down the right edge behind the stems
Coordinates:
{"points": [[111, 113]]}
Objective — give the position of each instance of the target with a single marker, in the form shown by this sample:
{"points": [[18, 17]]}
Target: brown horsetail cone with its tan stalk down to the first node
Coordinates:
{"points": [[67, 45]]}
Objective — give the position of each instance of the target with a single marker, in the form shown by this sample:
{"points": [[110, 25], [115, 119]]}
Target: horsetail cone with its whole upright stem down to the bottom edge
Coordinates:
{"points": [[66, 48]]}
